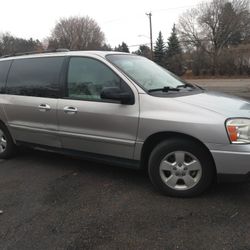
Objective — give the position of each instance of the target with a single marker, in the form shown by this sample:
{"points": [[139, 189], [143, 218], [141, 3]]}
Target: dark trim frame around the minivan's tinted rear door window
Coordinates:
{"points": [[60, 77]]}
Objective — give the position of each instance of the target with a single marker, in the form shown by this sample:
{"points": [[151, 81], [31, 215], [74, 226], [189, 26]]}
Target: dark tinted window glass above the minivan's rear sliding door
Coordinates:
{"points": [[35, 77]]}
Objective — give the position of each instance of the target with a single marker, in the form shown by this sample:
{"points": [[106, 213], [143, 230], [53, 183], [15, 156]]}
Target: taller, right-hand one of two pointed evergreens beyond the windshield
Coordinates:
{"points": [[174, 60]]}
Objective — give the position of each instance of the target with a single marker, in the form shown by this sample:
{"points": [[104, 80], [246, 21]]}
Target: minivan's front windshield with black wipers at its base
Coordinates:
{"points": [[150, 76]]}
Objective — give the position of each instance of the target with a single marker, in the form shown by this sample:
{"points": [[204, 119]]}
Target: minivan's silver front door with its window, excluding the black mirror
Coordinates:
{"points": [[88, 123]]}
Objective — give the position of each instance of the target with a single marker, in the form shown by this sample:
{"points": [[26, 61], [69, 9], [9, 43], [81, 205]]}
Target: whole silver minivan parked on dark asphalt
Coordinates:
{"points": [[125, 110]]}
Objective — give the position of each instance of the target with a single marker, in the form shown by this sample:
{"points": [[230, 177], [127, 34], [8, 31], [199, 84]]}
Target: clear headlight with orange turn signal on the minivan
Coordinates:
{"points": [[238, 130]]}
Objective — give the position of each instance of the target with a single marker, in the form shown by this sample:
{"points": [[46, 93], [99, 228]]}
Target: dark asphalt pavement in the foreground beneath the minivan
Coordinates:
{"points": [[50, 201]]}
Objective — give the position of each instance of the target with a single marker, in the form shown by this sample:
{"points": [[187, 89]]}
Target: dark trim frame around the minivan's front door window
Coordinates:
{"points": [[65, 85]]}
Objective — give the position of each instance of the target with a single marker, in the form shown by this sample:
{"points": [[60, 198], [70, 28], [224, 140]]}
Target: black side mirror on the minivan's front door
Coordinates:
{"points": [[116, 94]]}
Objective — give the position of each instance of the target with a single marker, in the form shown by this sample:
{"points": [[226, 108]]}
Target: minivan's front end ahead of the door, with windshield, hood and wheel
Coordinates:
{"points": [[212, 129]]}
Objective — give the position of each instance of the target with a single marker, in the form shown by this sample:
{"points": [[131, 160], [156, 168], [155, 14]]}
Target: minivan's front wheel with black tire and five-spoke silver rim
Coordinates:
{"points": [[181, 168]]}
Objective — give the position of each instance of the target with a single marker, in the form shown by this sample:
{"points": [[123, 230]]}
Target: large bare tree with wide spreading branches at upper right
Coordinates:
{"points": [[215, 25]]}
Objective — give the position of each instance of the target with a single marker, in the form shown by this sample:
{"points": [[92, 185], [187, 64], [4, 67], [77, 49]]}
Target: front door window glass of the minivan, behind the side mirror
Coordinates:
{"points": [[87, 77]]}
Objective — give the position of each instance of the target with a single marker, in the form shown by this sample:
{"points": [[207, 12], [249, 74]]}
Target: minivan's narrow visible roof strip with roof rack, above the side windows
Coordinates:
{"points": [[63, 53]]}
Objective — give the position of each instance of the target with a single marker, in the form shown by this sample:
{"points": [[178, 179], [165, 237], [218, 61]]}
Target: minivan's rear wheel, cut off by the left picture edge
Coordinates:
{"points": [[7, 146]]}
